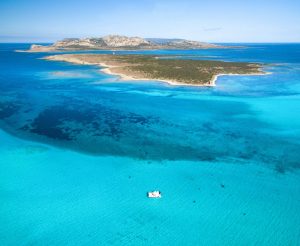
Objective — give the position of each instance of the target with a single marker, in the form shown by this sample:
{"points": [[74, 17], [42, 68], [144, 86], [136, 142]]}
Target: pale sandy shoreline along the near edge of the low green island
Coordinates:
{"points": [[105, 68]]}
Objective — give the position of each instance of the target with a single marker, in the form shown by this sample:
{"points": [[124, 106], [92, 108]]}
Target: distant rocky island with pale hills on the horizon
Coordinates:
{"points": [[118, 42]]}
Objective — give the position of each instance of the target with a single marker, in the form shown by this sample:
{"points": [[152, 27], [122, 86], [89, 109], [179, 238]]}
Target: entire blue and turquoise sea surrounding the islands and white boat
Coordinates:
{"points": [[79, 150]]}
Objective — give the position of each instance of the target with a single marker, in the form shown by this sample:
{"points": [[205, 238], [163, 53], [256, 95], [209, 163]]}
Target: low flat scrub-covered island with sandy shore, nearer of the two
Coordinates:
{"points": [[171, 69]]}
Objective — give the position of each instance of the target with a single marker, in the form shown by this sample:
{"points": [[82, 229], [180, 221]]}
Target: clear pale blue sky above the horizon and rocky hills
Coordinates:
{"points": [[210, 20]]}
